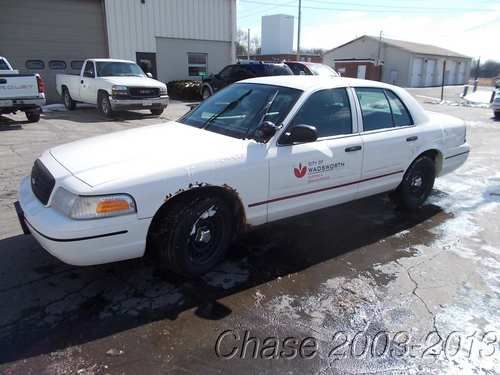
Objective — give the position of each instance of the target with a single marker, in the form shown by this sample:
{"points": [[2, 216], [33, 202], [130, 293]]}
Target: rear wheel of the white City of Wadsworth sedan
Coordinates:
{"points": [[416, 186]]}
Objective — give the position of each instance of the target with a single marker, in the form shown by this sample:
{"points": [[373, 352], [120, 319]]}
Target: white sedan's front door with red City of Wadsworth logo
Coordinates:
{"points": [[305, 177]]}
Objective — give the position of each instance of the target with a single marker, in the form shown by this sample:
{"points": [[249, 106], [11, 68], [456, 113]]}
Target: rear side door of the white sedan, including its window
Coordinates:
{"points": [[388, 135]]}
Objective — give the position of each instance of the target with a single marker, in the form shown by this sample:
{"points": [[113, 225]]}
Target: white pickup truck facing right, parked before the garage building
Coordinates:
{"points": [[112, 85]]}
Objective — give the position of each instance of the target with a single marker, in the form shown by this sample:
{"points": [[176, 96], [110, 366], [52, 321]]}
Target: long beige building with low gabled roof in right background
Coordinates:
{"points": [[402, 63]]}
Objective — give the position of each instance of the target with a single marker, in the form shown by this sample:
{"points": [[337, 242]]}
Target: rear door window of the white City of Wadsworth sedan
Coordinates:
{"points": [[375, 109]]}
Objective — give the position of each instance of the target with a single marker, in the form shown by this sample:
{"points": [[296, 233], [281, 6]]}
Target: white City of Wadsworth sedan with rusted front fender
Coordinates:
{"points": [[260, 150]]}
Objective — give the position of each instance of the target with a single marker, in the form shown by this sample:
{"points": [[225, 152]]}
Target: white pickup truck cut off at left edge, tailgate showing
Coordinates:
{"points": [[20, 92]]}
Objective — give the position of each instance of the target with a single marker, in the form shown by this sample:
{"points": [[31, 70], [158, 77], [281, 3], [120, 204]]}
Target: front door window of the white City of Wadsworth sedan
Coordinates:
{"points": [[327, 110]]}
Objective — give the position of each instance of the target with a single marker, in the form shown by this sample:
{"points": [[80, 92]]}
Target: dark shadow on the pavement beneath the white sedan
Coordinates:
{"points": [[48, 306]]}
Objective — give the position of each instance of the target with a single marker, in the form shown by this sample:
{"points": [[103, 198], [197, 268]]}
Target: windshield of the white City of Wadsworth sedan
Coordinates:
{"points": [[239, 109]]}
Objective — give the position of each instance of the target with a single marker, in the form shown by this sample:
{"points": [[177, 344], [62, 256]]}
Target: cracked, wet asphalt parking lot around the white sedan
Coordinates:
{"points": [[360, 288]]}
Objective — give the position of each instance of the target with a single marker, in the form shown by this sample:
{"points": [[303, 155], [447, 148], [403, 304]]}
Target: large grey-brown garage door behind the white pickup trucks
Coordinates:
{"points": [[51, 36]]}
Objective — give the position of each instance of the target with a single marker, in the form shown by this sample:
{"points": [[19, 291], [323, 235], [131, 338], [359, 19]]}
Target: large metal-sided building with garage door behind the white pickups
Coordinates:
{"points": [[172, 39]]}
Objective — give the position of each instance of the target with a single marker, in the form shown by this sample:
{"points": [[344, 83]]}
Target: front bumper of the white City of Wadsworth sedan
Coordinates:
{"points": [[81, 242]]}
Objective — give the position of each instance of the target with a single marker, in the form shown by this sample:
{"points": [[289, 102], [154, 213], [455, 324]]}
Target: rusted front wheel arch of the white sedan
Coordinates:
{"points": [[227, 193]]}
